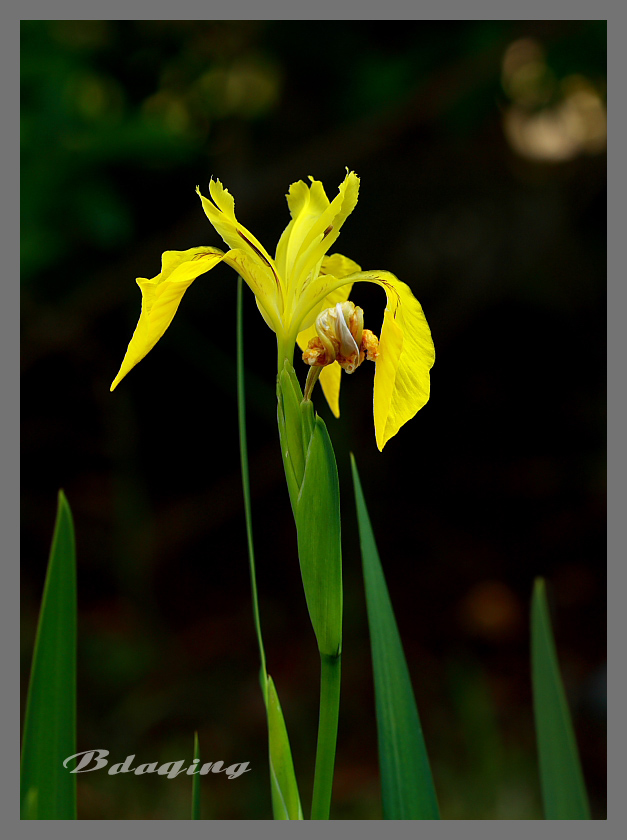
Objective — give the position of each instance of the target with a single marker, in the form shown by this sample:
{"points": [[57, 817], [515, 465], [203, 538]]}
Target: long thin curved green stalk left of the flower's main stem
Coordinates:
{"points": [[243, 447]]}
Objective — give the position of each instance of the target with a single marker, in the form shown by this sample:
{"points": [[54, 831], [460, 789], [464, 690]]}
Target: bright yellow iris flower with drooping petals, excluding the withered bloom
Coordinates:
{"points": [[293, 289]]}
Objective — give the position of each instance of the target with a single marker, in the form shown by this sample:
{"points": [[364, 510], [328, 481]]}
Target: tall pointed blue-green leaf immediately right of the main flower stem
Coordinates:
{"points": [[407, 786]]}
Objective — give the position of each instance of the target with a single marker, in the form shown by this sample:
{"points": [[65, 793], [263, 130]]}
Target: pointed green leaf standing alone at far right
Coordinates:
{"points": [[563, 788]]}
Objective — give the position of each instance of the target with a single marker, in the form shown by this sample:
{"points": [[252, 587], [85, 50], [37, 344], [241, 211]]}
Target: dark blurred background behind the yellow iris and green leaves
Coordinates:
{"points": [[481, 148]]}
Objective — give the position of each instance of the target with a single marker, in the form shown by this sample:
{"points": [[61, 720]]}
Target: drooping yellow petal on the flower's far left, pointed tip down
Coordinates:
{"points": [[160, 299]]}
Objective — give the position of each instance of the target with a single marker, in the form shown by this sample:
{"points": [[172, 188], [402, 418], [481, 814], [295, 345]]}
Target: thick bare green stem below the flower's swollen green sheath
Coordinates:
{"points": [[330, 669]]}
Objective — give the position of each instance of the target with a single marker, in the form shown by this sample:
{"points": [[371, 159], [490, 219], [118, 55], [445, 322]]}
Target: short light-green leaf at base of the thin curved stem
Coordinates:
{"points": [[285, 799]]}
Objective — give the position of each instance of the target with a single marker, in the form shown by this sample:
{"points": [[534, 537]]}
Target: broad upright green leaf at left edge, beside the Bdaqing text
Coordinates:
{"points": [[48, 789]]}
